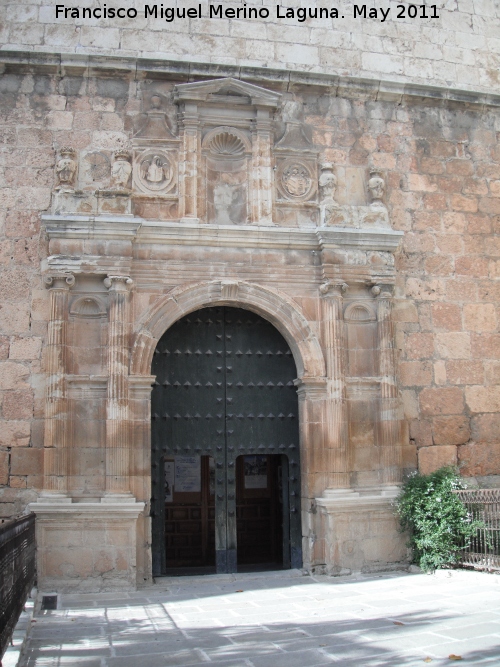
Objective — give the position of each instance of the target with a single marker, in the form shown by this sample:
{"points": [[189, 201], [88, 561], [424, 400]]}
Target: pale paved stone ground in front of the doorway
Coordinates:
{"points": [[277, 620]]}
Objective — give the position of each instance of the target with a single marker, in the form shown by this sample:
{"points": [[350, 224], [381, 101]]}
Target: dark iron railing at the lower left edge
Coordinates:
{"points": [[17, 572]]}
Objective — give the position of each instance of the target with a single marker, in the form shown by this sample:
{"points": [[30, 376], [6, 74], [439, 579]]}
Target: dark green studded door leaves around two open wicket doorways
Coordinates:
{"points": [[224, 388]]}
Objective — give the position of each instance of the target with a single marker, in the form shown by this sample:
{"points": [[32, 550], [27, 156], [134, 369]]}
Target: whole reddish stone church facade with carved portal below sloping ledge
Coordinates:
{"points": [[356, 218]]}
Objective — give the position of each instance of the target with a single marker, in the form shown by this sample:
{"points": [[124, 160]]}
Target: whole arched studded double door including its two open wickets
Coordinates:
{"points": [[225, 450]]}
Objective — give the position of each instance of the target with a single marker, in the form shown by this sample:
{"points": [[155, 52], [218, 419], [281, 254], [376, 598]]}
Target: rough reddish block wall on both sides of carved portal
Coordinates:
{"points": [[442, 168]]}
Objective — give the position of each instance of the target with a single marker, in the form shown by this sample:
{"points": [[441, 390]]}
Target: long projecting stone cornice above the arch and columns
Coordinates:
{"points": [[248, 236]]}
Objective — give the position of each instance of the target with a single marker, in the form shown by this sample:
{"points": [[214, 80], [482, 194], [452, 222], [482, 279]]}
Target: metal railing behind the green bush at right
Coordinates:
{"points": [[483, 550]]}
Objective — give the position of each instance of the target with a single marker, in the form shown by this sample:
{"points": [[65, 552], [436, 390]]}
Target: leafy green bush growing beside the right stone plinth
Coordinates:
{"points": [[436, 519]]}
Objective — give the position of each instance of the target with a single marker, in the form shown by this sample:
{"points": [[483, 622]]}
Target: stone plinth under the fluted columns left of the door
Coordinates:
{"points": [[88, 546]]}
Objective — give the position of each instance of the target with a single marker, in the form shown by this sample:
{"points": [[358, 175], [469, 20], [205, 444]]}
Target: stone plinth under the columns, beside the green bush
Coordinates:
{"points": [[358, 531]]}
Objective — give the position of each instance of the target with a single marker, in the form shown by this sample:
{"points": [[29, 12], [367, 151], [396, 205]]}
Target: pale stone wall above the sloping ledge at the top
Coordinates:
{"points": [[461, 48]]}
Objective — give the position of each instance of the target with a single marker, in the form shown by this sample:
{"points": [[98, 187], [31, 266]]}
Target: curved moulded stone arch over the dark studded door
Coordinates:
{"points": [[273, 305]]}
